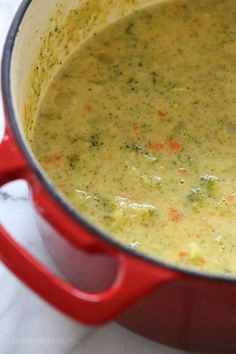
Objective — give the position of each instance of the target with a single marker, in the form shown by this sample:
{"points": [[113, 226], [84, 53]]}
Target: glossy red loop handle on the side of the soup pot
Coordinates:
{"points": [[134, 276]]}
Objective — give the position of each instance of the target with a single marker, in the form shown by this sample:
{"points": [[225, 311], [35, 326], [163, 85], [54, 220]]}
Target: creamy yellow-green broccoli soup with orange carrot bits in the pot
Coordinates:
{"points": [[138, 131]]}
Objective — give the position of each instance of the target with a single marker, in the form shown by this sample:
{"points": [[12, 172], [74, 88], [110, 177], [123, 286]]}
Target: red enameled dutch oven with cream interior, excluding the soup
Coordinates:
{"points": [[105, 279]]}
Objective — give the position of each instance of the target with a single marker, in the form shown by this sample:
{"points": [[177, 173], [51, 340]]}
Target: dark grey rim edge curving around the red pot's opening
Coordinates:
{"points": [[57, 197]]}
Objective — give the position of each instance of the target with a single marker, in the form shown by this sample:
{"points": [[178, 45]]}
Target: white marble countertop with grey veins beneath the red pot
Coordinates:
{"points": [[27, 324]]}
